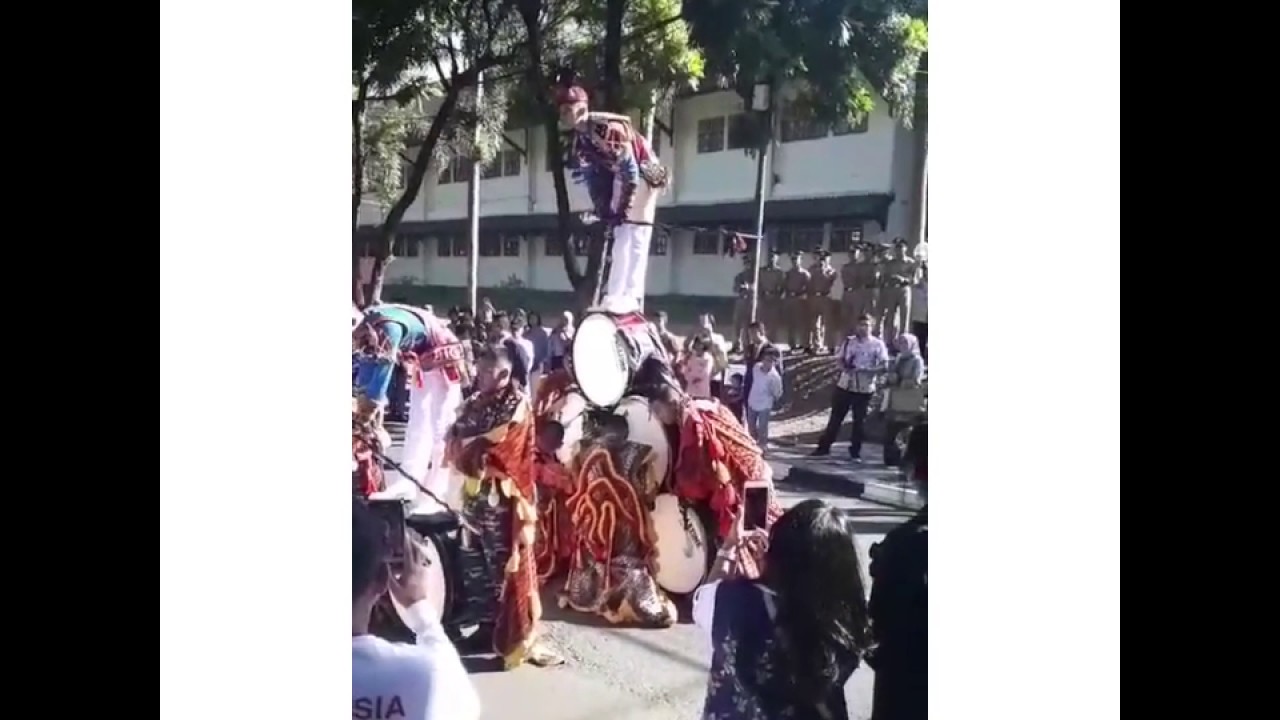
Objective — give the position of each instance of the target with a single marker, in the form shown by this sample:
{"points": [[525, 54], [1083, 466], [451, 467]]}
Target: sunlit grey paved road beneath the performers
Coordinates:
{"points": [[639, 675]]}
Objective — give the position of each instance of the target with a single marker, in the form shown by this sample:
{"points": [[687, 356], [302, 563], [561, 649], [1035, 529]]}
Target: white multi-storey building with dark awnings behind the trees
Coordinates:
{"points": [[830, 186]]}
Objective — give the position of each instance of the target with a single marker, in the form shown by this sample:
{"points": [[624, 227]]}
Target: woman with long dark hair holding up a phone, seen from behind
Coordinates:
{"points": [[787, 645]]}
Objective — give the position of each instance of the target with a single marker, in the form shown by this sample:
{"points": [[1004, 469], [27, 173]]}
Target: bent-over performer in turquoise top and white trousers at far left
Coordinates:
{"points": [[435, 362]]}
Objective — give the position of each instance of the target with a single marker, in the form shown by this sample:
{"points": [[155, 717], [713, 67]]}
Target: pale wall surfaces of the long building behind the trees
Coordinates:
{"points": [[877, 161]]}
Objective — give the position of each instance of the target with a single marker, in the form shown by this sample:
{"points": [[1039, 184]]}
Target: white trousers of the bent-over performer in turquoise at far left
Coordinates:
{"points": [[432, 411]]}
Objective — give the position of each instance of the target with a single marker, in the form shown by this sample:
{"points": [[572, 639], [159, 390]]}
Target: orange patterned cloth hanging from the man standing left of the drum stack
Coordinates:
{"points": [[505, 426]]}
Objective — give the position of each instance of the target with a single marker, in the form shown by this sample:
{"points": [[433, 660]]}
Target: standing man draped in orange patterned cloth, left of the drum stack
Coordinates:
{"points": [[492, 448]]}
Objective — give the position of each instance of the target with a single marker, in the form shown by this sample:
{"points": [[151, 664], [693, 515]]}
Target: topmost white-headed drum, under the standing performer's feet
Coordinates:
{"points": [[607, 352]]}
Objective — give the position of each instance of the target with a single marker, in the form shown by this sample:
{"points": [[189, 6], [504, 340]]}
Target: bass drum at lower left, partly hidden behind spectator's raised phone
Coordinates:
{"points": [[436, 539]]}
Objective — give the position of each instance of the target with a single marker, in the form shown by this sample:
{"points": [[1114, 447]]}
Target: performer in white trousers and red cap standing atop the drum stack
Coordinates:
{"points": [[624, 180]]}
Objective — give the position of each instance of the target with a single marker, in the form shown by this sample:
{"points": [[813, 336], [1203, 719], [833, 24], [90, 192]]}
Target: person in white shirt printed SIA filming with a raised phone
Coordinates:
{"points": [[419, 682]]}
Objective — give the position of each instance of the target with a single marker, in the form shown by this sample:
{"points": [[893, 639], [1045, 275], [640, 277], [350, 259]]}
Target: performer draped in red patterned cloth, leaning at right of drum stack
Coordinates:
{"points": [[715, 458]]}
